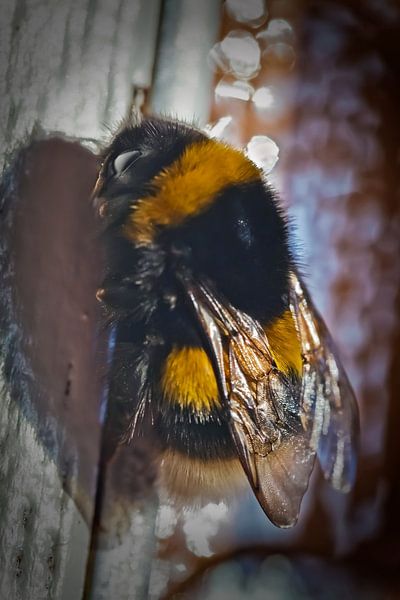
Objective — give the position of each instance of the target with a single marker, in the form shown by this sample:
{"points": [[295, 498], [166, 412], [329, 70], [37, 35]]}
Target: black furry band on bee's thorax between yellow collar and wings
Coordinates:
{"points": [[240, 244]]}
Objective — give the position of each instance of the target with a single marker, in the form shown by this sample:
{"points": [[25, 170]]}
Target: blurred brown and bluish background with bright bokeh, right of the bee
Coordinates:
{"points": [[311, 89]]}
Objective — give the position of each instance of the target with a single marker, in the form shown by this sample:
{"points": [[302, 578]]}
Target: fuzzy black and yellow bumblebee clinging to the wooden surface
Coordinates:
{"points": [[218, 342]]}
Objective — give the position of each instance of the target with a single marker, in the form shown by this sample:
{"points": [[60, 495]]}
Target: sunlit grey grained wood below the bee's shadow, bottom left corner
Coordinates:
{"points": [[43, 536]]}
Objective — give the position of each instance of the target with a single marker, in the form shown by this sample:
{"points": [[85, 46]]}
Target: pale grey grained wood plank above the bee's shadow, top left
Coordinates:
{"points": [[71, 65]]}
